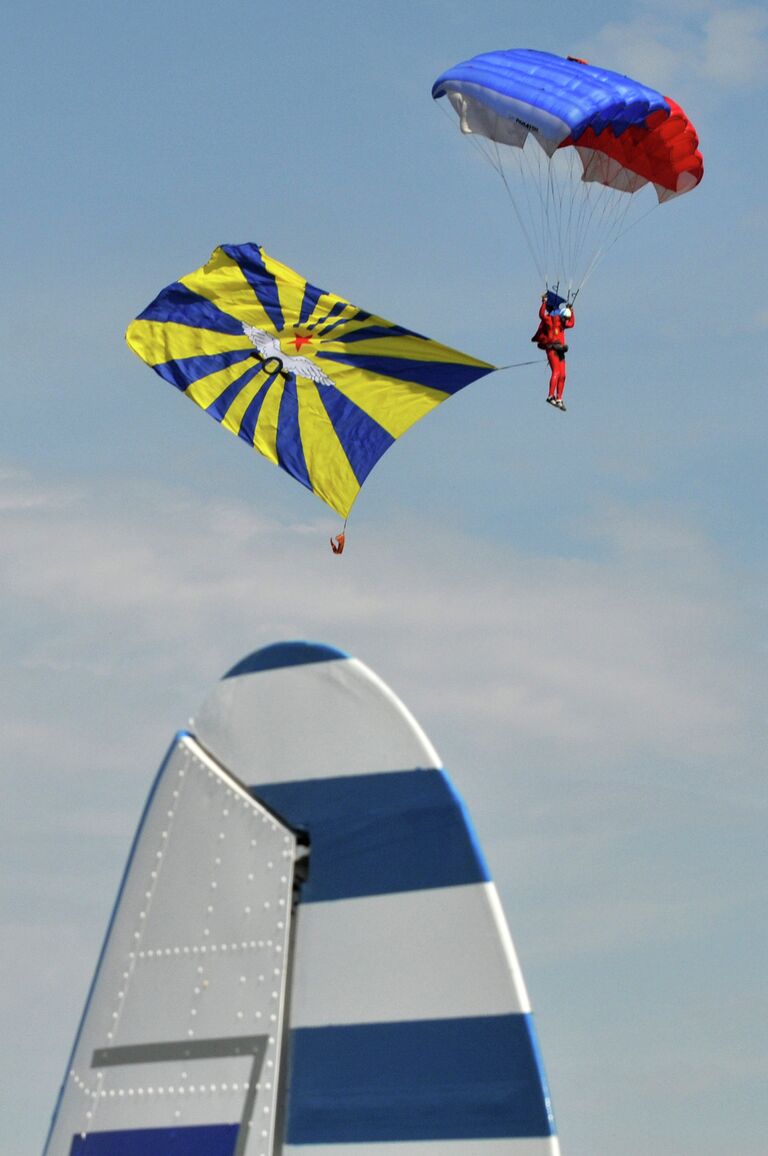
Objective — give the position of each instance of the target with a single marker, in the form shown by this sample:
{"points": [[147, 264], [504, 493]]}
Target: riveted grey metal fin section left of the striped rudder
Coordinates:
{"points": [[179, 1048]]}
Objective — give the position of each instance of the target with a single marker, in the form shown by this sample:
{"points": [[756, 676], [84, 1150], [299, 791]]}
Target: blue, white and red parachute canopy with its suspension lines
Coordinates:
{"points": [[590, 128]]}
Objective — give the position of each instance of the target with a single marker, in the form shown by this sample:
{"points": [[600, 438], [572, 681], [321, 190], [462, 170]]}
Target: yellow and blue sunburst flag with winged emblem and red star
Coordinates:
{"points": [[319, 387]]}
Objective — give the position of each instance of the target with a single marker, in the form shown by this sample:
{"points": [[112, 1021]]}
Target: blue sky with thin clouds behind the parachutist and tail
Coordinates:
{"points": [[572, 605]]}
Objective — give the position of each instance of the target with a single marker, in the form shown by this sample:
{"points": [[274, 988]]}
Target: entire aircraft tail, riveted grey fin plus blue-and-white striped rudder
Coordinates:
{"points": [[386, 1010]]}
